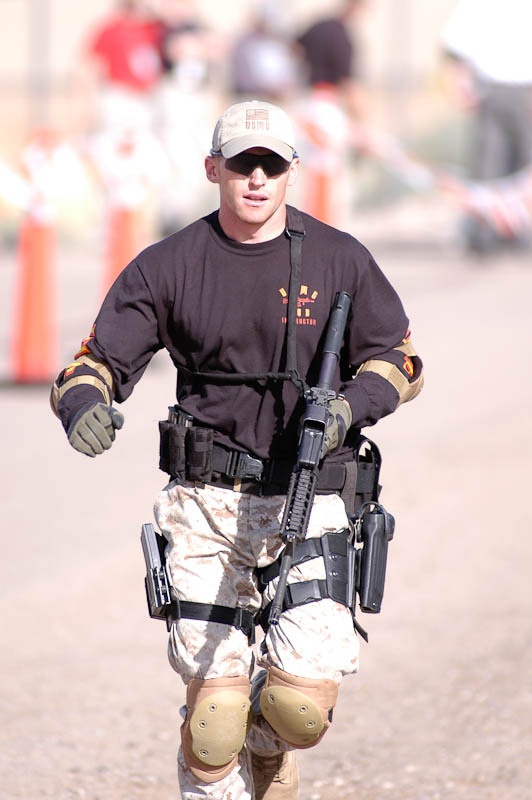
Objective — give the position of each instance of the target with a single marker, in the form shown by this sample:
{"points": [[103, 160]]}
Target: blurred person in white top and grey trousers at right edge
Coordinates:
{"points": [[487, 44]]}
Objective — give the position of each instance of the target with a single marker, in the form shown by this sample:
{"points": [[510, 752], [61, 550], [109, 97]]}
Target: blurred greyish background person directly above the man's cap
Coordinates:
{"points": [[262, 61]]}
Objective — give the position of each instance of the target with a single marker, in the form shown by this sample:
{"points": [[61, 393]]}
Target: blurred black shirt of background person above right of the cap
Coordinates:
{"points": [[329, 52]]}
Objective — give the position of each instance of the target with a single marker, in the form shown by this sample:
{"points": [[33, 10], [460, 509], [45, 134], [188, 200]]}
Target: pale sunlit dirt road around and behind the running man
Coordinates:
{"points": [[442, 707]]}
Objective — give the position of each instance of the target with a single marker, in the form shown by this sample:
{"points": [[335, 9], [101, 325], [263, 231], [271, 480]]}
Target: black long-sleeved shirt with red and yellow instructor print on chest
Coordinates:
{"points": [[220, 306]]}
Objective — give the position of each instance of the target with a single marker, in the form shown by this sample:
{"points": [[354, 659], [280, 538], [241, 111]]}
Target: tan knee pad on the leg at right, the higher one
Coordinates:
{"points": [[298, 709]]}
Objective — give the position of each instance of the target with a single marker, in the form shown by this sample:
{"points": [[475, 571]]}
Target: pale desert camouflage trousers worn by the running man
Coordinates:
{"points": [[216, 538]]}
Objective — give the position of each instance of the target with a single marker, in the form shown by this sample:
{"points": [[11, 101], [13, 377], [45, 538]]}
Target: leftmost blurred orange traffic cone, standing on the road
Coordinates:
{"points": [[35, 342]]}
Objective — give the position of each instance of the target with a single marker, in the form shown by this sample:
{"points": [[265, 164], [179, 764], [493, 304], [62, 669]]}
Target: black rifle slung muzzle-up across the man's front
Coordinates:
{"points": [[302, 487]]}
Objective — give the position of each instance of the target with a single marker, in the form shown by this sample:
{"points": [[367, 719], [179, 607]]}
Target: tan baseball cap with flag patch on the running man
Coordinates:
{"points": [[253, 124]]}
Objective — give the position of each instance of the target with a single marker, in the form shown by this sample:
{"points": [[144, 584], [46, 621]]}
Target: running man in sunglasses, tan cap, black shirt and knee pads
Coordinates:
{"points": [[227, 297]]}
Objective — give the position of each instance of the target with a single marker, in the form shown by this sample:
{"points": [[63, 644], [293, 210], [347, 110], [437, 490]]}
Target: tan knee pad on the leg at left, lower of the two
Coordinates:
{"points": [[218, 713]]}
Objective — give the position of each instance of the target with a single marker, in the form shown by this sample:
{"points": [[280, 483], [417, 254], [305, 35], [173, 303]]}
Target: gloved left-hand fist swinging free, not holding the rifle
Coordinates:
{"points": [[93, 428]]}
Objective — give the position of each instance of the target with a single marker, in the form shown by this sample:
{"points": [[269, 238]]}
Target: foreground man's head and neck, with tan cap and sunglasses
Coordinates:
{"points": [[253, 161]]}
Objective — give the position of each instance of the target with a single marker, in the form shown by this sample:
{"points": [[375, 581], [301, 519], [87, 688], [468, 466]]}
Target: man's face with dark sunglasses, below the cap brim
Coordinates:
{"points": [[252, 190]]}
